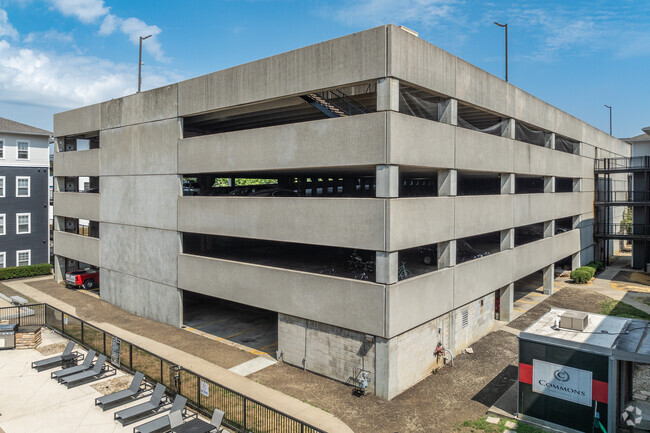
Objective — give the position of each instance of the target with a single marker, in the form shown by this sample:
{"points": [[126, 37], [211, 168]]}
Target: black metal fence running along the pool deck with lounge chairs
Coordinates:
{"points": [[242, 414]]}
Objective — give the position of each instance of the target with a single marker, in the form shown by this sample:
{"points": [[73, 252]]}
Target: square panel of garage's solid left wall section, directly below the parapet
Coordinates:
{"points": [[147, 148]]}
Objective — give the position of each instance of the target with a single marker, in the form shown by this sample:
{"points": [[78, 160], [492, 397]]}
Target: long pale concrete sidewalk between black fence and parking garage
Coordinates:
{"points": [[275, 399]]}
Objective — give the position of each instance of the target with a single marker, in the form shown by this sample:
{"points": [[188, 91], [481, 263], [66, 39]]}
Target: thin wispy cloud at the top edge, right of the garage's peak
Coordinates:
{"points": [[378, 12]]}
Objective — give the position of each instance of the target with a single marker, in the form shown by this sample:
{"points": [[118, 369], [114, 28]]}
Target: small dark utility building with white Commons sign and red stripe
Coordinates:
{"points": [[581, 372]]}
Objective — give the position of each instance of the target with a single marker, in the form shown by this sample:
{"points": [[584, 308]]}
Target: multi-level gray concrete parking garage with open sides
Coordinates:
{"points": [[404, 193]]}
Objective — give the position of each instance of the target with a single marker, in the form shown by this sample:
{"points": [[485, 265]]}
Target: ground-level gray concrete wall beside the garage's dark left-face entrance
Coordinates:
{"points": [[328, 350]]}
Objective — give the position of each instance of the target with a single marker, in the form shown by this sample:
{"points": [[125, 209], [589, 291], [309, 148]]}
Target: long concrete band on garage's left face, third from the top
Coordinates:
{"points": [[343, 222]]}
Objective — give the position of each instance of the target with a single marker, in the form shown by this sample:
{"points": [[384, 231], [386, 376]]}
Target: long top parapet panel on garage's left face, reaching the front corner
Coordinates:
{"points": [[350, 59]]}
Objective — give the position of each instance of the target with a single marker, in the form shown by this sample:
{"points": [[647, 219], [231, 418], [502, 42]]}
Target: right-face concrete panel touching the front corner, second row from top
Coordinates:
{"points": [[420, 142]]}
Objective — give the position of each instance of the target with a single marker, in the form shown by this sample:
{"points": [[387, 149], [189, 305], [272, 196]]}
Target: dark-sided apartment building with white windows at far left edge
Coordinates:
{"points": [[24, 166]]}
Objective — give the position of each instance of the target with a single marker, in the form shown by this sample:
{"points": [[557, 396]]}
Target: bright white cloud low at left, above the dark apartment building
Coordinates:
{"points": [[66, 80]]}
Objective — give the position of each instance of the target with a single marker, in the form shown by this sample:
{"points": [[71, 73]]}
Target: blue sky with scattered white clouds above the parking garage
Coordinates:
{"points": [[577, 55]]}
